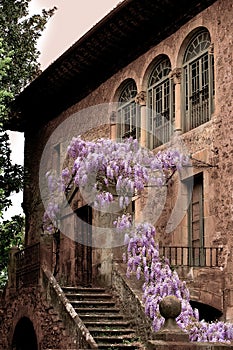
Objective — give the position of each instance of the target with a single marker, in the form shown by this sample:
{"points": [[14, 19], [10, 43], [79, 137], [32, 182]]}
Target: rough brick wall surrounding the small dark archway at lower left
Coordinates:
{"points": [[50, 331]]}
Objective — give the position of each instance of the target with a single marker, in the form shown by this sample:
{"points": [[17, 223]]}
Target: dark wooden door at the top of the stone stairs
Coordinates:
{"points": [[83, 249]]}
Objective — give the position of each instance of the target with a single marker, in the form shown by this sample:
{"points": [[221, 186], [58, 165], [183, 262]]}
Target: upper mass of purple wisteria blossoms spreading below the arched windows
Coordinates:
{"points": [[99, 166]]}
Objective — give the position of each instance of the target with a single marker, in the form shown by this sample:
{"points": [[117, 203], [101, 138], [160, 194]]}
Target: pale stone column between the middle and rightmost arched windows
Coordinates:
{"points": [[176, 76]]}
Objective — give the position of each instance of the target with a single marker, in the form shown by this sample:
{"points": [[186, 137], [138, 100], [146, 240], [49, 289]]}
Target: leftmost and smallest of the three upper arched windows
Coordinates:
{"points": [[128, 112]]}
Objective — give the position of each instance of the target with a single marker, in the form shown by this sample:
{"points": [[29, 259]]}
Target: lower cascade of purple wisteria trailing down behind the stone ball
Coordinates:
{"points": [[143, 260]]}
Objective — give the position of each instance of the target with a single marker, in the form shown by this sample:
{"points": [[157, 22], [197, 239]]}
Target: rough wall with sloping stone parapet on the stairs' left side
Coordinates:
{"points": [[54, 320]]}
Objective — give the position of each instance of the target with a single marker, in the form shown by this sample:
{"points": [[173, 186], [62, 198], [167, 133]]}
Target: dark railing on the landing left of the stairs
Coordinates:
{"points": [[28, 266]]}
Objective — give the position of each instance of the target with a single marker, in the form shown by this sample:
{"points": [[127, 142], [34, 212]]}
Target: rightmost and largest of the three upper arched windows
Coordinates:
{"points": [[198, 75]]}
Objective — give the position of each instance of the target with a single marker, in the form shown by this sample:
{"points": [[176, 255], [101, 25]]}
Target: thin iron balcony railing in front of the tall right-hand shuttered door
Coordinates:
{"points": [[193, 256]]}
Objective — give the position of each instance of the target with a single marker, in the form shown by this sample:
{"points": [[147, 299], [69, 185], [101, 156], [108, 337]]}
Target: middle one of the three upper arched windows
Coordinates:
{"points": [[160, 104]]}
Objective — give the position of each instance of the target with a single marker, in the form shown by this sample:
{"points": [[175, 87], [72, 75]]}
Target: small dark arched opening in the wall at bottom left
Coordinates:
{"points": [[24, 336]]}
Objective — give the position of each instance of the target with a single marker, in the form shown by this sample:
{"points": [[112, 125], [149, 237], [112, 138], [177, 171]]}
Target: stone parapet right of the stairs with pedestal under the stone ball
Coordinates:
{"points": [[170, 336]]}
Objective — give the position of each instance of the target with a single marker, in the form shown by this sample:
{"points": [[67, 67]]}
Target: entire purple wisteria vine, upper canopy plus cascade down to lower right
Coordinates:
{"points": [[107, 171]]}
